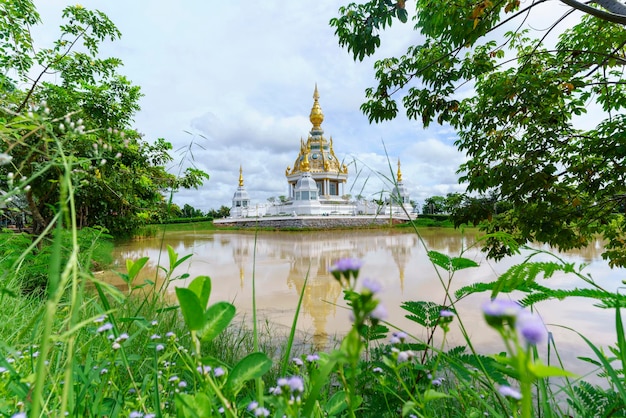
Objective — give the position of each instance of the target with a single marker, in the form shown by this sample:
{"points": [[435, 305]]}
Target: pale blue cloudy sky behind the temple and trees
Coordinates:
{"points": [[233, 82]]}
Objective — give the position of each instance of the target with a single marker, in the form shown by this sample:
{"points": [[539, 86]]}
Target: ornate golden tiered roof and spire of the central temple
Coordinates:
{"points": [[316, 154]]}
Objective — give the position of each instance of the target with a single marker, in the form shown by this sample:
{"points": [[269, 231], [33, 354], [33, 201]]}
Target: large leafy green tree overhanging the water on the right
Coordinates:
{"points": [[516, 98]]}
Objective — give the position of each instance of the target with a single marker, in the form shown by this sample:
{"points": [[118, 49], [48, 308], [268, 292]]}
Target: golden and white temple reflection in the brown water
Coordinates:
{"points": [[310, 256]]}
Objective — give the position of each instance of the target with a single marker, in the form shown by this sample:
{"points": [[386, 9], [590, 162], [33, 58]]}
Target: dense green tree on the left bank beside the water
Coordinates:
{"points": [[86, 116]]}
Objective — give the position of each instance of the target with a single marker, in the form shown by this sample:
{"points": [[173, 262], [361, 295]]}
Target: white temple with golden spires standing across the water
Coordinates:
{"points": [[317, 183]]}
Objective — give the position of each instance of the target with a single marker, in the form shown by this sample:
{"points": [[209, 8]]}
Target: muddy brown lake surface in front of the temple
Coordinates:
{"points": [[280, 262]]}
